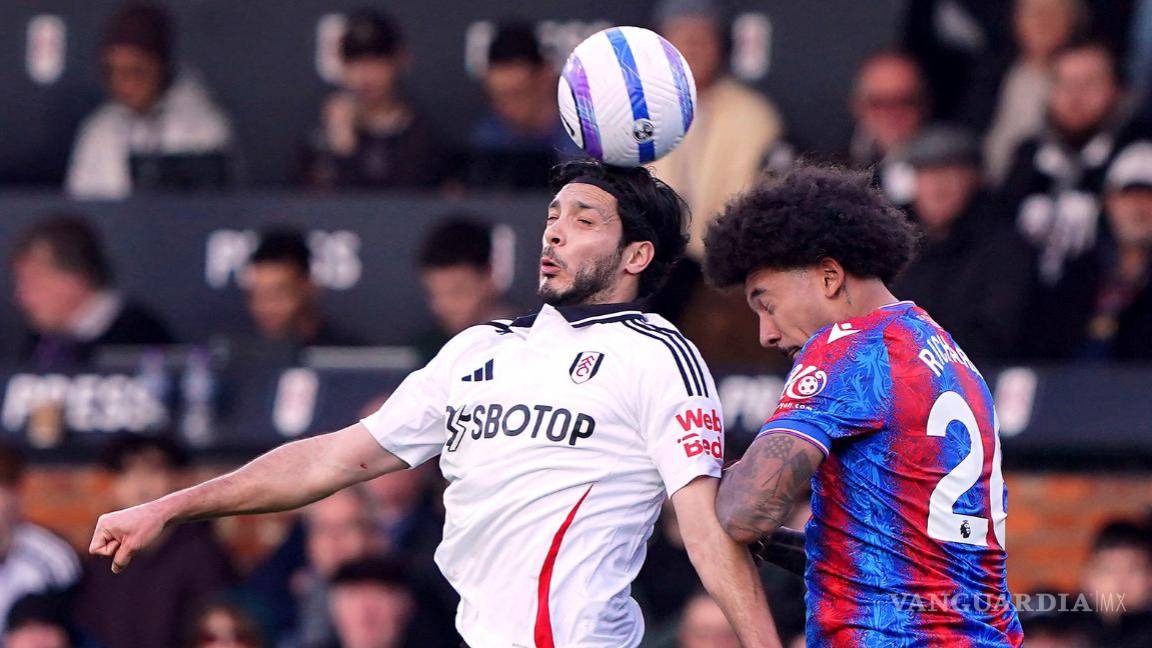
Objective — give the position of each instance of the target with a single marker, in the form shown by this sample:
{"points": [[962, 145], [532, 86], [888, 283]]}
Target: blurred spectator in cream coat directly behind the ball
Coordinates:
{"points": [[734, 129]]}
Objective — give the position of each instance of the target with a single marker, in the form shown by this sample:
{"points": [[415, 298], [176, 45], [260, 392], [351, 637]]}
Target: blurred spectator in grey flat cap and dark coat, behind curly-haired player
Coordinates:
{"points": [[973, 270]]}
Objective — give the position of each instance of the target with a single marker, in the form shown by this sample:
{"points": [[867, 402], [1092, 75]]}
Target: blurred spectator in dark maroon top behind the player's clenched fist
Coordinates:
{"points": [[154, 605]]}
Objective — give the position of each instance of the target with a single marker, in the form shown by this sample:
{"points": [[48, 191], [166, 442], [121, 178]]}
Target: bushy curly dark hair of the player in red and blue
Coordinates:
{"points": [[813, 214]]}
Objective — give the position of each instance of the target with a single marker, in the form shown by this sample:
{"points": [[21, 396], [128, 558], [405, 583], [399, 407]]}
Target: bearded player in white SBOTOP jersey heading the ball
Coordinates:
{"points": [[560, 434]]}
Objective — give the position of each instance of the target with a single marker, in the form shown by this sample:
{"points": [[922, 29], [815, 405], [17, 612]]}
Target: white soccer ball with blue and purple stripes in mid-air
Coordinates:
{"points": [[627, 96]]}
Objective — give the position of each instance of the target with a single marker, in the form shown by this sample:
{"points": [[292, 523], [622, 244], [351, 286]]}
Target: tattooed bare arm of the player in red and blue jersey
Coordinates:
{"points": [[759, 492]]}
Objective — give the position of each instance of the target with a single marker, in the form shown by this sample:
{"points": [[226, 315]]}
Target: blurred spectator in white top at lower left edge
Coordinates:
{"points": [[32, 559]]}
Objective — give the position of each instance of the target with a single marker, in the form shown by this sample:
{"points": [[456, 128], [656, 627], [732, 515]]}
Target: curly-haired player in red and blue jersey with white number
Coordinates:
{"points": [[884, 418]]}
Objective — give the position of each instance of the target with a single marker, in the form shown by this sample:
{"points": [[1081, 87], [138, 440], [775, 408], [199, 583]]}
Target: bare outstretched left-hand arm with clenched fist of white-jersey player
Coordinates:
{"points": [[290, 477]]}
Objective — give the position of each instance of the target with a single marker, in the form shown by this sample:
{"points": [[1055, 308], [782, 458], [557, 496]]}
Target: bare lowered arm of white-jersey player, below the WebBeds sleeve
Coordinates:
{"points": [[725, 567]]}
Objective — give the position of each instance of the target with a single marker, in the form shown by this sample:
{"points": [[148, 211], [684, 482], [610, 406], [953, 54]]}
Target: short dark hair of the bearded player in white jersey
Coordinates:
{"points": [[649, 212]]}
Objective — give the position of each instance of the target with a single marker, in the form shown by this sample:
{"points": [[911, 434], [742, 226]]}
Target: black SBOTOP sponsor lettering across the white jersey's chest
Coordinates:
{"points": [[488, 421]]}
